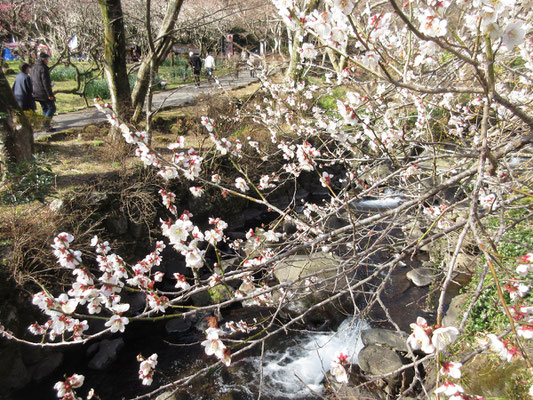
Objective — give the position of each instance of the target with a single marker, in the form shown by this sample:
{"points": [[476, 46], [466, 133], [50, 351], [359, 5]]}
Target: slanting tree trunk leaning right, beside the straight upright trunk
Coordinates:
{"points": [[162, 46]]}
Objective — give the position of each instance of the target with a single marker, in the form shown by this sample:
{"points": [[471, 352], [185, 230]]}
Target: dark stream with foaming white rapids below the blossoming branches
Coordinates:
{"points": [[294, 365]]}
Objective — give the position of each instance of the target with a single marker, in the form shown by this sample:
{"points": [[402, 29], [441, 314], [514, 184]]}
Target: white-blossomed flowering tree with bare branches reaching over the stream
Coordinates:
{"points": [[424, 147]]}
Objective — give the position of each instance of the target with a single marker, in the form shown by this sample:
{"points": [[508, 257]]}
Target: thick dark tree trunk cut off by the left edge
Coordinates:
{"points": [[16, 134]]}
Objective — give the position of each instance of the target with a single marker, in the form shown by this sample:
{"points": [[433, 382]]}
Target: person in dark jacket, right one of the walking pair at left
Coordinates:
{"points": [[42, 89]]}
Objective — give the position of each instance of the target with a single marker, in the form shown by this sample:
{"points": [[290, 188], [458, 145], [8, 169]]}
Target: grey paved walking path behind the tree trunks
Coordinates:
{"points": [[166, 99]]}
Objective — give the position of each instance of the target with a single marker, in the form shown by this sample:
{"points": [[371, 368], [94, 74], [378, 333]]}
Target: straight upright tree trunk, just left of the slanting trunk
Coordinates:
{"points": [[115, 57]]}
